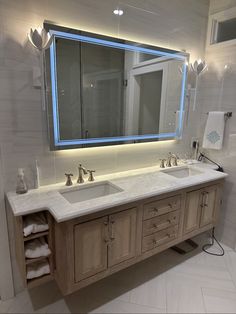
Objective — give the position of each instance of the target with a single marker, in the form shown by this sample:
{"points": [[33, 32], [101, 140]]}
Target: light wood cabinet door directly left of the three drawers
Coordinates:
{"points": [[122, 230]]}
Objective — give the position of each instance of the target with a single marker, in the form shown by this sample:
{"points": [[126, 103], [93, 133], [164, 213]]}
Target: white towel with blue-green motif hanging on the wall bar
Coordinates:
{"points": [[214, 131]]}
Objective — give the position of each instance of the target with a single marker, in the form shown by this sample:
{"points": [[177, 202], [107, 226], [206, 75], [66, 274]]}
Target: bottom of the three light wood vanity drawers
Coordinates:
{"points": [[152, 241]]}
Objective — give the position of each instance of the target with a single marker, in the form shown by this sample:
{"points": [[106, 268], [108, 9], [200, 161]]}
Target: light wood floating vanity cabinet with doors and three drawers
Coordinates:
{"points": [[95, 246]]}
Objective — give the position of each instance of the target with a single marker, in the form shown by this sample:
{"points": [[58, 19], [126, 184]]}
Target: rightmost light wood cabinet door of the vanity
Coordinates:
{"points": [[210, 197]]}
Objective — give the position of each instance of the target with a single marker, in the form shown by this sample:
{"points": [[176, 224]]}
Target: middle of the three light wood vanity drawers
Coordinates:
{"points": [[159, 223]]}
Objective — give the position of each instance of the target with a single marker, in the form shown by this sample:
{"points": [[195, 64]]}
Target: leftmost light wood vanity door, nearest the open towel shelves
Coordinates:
{"points": [[90, 242]]}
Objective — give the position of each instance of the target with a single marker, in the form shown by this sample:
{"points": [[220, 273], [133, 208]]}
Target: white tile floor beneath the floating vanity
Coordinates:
{"points": [[166, 283]]}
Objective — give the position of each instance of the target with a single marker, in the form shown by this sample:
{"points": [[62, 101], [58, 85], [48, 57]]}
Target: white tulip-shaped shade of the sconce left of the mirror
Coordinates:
{"points": [[40, 38]]}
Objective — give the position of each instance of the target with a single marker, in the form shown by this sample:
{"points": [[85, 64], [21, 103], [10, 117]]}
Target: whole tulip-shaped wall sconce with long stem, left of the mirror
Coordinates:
{"points": [[41, 40]]}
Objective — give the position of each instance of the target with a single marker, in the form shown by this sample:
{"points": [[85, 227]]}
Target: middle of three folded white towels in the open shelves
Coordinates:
{"points": [[36, 248]]}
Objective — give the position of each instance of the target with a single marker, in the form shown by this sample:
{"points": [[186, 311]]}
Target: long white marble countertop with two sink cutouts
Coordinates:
{"points": [[135, 184]]}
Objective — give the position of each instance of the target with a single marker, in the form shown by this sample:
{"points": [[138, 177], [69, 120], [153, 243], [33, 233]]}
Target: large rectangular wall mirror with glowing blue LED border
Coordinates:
{"points": [[106, 90]]}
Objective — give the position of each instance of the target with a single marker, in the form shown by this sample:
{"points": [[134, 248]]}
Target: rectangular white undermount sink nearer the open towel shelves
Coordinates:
{"points": [[95, 190]]}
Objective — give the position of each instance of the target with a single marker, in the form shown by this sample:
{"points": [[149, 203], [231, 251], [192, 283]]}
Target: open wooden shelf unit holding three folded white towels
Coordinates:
{"points": [[35, 244]]}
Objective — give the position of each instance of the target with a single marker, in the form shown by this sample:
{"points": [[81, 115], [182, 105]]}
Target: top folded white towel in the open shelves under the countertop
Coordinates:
{"points": [[34, 223]]}
